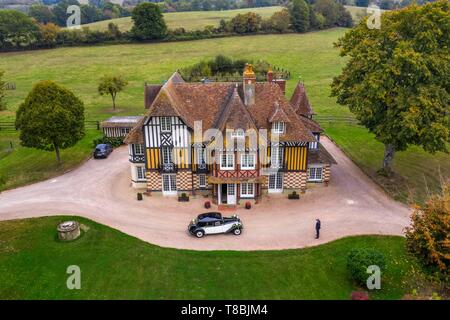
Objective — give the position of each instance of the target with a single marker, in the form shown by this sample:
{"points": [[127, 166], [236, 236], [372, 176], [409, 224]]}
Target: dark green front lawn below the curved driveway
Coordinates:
{"points": [[113, 265]]}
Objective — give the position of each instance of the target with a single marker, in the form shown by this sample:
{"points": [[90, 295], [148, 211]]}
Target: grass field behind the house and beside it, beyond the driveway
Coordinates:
{"points": [[311, 56]]}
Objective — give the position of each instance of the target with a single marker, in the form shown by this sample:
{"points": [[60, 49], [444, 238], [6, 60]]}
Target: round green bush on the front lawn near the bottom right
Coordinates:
{"points": [[358, 260]]}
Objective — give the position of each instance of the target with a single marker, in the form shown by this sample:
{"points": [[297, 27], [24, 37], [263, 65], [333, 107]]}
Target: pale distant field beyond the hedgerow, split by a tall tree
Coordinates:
{"points": [[191, 20]]}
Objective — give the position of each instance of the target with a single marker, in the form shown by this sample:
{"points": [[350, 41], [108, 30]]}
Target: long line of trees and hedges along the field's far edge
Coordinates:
{"points": [[21, 32]]}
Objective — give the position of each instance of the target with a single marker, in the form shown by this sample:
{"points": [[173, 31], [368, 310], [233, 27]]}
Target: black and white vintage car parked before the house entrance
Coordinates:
{"points": [[214, 223]]}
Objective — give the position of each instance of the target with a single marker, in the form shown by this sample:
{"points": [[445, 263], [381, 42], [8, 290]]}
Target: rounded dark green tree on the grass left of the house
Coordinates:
{"points": [[51, 118]]}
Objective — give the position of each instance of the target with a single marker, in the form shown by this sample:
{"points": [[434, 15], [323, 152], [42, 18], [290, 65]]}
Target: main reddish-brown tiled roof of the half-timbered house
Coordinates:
{"points": [[209, 102]]}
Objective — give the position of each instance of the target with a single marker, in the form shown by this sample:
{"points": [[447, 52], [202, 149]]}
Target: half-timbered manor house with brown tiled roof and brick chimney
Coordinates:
{"points": [[167, 157]]}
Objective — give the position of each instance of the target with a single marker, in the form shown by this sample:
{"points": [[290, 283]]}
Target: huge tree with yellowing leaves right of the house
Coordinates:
{"points": [[396, 78]]}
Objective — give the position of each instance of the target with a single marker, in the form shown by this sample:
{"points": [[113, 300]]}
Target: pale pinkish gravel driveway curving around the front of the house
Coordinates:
{"points": [[100, 190]]}
